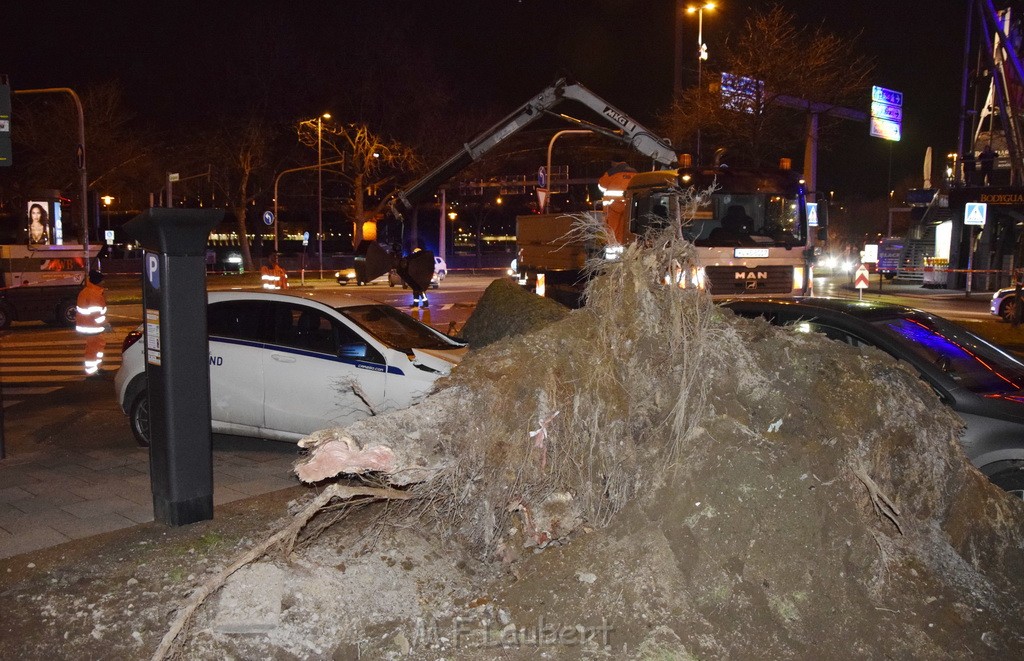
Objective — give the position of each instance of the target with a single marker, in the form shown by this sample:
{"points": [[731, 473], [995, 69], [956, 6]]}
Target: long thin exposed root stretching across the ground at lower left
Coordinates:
{"points": [[285, 540]]}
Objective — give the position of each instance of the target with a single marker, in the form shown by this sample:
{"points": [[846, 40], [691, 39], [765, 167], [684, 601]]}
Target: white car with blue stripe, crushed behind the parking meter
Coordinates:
{"points": [[283, 366]]}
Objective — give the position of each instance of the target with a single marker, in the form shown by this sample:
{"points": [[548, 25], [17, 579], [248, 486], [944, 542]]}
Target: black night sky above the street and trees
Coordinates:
{"points": [[175, 58]]}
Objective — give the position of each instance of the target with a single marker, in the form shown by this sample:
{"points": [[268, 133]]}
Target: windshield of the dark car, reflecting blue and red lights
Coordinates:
{"points": [[969, 361]]}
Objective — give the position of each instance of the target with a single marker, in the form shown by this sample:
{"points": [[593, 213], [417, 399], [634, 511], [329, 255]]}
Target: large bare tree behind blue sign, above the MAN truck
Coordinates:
{"points": [[772, 58]]}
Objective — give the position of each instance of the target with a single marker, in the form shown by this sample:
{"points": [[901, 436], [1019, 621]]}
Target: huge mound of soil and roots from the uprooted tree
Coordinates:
{"points": [[649, 477]]}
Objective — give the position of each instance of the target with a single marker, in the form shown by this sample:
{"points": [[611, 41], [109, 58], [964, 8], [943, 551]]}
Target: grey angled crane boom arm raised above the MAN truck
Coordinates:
{"points": [[627, 130]]}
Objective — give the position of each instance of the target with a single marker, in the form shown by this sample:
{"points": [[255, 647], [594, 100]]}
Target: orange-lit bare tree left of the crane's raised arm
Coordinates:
{"points": [[368, 163]]}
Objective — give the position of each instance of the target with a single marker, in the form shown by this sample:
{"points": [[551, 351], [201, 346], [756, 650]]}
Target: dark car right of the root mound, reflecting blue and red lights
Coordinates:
{"points": [[982, 383]]}
